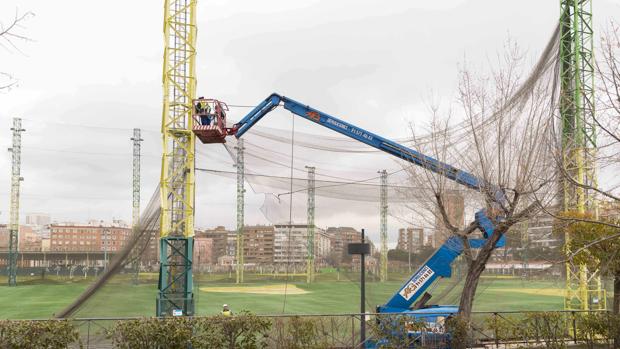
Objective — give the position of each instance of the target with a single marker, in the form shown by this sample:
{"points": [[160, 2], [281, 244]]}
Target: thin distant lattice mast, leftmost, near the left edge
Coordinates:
{"points": [[16, 153]]}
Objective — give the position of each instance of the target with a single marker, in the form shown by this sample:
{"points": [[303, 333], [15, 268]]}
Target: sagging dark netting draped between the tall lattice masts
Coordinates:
{"points": [[346, 181]]}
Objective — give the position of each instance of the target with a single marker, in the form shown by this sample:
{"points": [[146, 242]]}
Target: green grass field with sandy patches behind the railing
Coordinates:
{"points": [[42, 298]]}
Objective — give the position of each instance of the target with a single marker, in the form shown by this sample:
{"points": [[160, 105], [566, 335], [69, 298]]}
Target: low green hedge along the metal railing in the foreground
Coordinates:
{"points": [[248, 331]]}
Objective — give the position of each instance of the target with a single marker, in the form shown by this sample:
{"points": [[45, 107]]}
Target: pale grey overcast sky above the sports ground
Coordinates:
{"points": [[92, 72]]}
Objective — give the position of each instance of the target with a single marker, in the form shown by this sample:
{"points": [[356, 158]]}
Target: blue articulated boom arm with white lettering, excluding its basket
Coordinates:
{"points": [[439, 264]]}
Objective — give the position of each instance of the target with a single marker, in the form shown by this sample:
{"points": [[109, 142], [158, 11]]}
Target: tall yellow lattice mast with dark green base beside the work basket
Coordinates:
{"points": [[177, 171]]}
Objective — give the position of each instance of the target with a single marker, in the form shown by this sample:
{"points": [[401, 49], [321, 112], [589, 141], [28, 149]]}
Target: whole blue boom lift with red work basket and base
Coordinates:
{"points": [[439, 264]]}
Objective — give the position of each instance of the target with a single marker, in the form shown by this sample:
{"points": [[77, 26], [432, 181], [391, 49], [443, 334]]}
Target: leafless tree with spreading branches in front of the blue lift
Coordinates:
{"points": [[504, 142]]}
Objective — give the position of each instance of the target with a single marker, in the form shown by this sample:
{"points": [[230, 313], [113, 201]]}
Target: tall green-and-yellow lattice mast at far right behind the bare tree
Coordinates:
{"points": [[578, 136]]}
